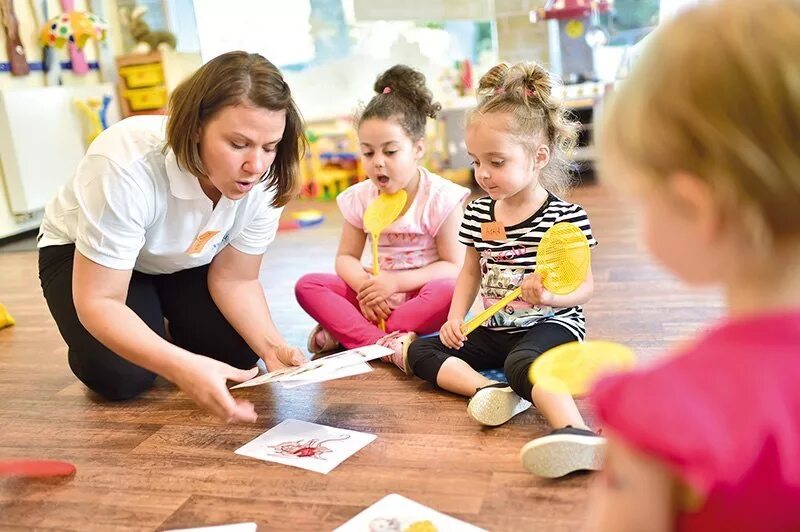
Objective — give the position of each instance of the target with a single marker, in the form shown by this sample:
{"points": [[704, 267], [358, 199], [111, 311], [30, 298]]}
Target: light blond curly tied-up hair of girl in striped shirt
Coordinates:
{"points": [[523, 91]]}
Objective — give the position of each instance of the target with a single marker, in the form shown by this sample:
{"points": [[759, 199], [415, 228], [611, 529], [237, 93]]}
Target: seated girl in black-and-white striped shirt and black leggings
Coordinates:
{"points": [[516, 137]]}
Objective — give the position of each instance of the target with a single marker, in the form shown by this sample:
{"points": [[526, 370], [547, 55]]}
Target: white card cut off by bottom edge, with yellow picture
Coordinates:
{"points": [[395, 513]]}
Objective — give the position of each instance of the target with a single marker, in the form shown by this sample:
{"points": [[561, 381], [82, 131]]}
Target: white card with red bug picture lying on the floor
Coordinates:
{"points": [[306, 445]]}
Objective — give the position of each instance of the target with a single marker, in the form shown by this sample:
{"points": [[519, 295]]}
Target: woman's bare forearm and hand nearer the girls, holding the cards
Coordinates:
{"points": [[235, 288]]}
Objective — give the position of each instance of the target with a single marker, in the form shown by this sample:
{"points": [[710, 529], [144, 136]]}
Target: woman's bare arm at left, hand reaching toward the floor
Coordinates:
{"points": [[99, 294]]}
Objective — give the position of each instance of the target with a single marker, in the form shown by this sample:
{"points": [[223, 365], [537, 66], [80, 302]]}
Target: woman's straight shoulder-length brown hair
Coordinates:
{"points": [[237, 78]]}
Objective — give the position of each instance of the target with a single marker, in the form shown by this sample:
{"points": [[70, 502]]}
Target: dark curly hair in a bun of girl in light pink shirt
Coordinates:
{"points": [[403, 96]]}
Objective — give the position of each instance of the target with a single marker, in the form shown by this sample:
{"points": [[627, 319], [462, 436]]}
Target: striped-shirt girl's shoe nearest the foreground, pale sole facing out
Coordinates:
{"points": [[564, 451]]}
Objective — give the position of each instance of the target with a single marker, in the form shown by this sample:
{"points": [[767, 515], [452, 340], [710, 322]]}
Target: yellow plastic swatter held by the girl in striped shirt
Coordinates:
{"points": [[563, 261]]}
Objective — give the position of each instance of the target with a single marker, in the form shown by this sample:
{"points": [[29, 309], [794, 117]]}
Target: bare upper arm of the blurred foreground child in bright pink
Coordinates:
{"points": [[634, 492]]}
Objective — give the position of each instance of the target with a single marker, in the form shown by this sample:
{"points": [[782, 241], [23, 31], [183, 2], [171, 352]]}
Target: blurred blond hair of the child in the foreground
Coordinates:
{"points": [[717, 95]]}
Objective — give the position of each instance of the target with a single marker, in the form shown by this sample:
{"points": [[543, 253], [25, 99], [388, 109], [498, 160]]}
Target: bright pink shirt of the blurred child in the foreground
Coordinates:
{"points": [[724, 415]]}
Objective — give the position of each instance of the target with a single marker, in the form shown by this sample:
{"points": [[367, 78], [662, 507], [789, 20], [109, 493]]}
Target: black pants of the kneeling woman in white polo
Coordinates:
{"points": [[195, 323]]}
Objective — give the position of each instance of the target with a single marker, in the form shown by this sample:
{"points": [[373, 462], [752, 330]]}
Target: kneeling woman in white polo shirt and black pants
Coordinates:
{"points": [[172, 223]]}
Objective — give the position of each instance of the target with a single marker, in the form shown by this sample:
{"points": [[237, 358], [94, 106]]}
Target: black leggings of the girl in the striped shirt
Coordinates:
{"points": [[488, 349]]}
